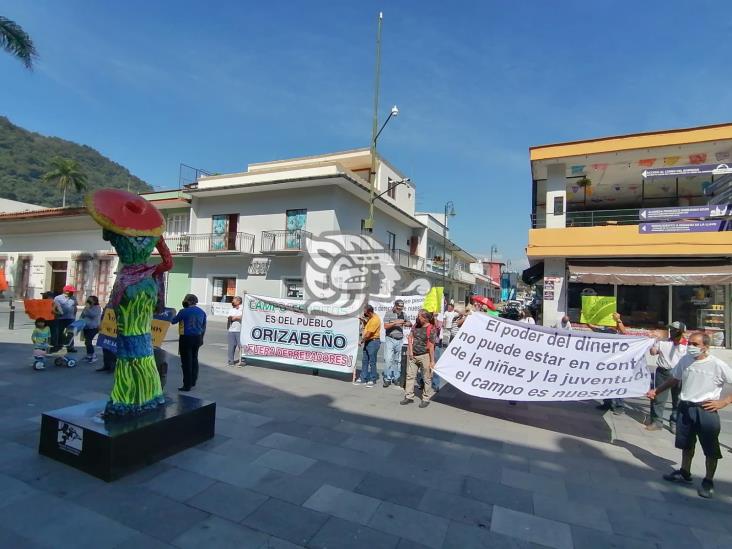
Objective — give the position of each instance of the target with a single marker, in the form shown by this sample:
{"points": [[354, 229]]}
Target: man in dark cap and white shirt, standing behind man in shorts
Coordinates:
{"points": [[668, 353]]}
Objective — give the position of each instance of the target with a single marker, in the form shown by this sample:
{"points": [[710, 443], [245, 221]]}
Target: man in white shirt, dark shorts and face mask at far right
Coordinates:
{"points": [[702, 377]]}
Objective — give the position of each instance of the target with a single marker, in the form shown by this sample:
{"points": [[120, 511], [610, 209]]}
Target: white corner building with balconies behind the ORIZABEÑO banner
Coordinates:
{"points": [[261, 219]]}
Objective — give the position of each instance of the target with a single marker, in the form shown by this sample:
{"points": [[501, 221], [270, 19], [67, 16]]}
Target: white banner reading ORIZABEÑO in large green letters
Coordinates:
{"points": [[278, 330]]}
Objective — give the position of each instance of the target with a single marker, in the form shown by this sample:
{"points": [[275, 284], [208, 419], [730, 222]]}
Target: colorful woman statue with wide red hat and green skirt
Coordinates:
{"points": [[134, 227]]}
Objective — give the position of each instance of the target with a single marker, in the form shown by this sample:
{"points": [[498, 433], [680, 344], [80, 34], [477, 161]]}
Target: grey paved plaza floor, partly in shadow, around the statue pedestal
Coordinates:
{"points": [[300, 460]]}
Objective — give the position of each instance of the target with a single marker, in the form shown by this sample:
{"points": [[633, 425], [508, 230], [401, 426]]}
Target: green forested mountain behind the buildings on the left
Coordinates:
{"points": [[24, 158]]}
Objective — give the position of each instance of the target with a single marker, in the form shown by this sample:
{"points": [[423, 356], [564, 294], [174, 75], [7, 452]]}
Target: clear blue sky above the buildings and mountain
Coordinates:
{"points": [[219, 85]]}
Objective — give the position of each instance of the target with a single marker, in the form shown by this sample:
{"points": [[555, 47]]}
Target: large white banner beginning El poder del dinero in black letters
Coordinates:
{"points": [[502, 359]]}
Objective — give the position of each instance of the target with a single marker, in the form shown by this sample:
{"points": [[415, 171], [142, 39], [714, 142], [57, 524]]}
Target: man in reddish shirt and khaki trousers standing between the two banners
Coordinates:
{"points": [[420, 355]]}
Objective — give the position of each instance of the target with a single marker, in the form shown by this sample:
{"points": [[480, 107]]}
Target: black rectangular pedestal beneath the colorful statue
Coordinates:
{"points": [[110, 449]]}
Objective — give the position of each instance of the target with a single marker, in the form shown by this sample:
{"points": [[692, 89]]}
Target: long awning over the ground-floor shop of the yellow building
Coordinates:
{"points": [[652, 275]]}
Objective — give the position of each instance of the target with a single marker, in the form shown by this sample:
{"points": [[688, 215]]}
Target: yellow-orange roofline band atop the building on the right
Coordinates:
{"points": [[643, 140]]}
